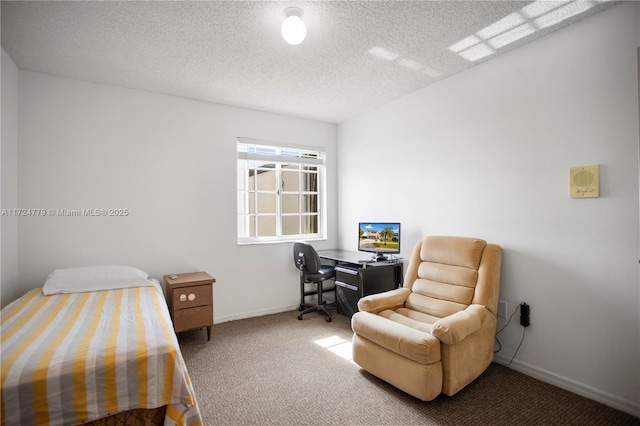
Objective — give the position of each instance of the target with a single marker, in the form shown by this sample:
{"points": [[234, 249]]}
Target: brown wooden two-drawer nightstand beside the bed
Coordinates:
{"points": [[190, 300]]}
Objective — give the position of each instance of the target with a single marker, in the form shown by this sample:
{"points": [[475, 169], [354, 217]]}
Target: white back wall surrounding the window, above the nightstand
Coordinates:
{"points": [[172, 163]]}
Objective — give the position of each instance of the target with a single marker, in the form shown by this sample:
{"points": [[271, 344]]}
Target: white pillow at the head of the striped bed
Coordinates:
{"points": [[94, 278]]}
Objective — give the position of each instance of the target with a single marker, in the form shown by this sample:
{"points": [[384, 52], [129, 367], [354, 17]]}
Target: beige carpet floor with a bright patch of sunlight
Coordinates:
{"points": [[270, 371]]}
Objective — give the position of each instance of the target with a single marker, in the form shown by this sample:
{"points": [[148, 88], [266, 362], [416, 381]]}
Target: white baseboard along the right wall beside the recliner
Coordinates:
{"points": [[571, 385]]}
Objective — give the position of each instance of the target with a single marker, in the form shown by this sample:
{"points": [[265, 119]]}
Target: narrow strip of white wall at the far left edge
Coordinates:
{"points": [[9, 286]]}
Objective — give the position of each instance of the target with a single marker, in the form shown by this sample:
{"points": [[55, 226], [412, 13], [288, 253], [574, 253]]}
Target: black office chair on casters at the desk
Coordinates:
{"points": [[312, 271]]}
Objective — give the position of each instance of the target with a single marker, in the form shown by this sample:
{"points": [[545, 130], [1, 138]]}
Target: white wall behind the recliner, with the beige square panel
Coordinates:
{"points": [[486, 154]]}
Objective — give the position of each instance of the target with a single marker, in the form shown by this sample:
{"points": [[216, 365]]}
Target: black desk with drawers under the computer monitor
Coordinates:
{"points": [[357, 276]]}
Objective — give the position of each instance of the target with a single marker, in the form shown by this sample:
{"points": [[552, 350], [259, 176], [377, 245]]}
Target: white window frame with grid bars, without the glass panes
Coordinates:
{"points": [[278, 155]]}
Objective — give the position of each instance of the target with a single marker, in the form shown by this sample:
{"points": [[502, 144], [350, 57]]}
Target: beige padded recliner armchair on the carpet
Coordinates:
{"points": [[436, 334]]}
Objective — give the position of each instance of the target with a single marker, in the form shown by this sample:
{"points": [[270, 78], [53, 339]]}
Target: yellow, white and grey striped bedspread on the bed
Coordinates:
{"points": [[72, 358]]}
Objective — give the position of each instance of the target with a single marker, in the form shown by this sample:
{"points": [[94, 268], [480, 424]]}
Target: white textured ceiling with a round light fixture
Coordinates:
{"points": [[358, 55]]}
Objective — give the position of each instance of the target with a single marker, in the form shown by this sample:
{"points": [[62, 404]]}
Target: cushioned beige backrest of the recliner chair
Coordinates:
{"points": [[443, 274]]}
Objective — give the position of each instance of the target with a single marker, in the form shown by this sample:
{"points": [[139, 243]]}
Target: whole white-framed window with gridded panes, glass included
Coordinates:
{"points": [[280, 191]]}
